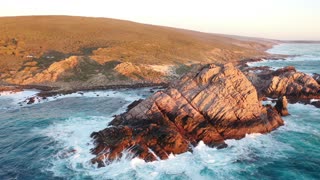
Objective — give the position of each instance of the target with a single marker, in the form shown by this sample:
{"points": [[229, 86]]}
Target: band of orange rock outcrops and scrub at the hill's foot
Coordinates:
{"points": [[79, 72]]}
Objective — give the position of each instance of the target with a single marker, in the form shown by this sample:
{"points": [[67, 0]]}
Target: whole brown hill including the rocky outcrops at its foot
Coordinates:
{"points": [[75, 52]]}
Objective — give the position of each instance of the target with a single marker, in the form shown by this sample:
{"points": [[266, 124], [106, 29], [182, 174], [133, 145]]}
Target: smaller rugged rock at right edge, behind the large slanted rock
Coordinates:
{"points": [[285, 82]]}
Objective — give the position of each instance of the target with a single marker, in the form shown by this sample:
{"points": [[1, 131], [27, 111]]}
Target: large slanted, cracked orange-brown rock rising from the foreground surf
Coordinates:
{"points": [[212, 105]]}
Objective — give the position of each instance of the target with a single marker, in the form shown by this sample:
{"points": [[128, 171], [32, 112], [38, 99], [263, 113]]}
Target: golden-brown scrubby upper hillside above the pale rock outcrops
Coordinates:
{"points": [[105, 40]]}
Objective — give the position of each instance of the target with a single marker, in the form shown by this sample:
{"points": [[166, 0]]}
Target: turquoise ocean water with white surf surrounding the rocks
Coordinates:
{"points": [[50, 139]]}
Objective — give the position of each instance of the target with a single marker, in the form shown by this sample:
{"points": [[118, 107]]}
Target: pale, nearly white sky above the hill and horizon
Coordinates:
{"points": [[274, 19]]}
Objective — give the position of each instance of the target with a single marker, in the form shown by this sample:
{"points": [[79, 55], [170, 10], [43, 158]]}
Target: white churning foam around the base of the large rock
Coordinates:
{"points": [[74, 134]]}
